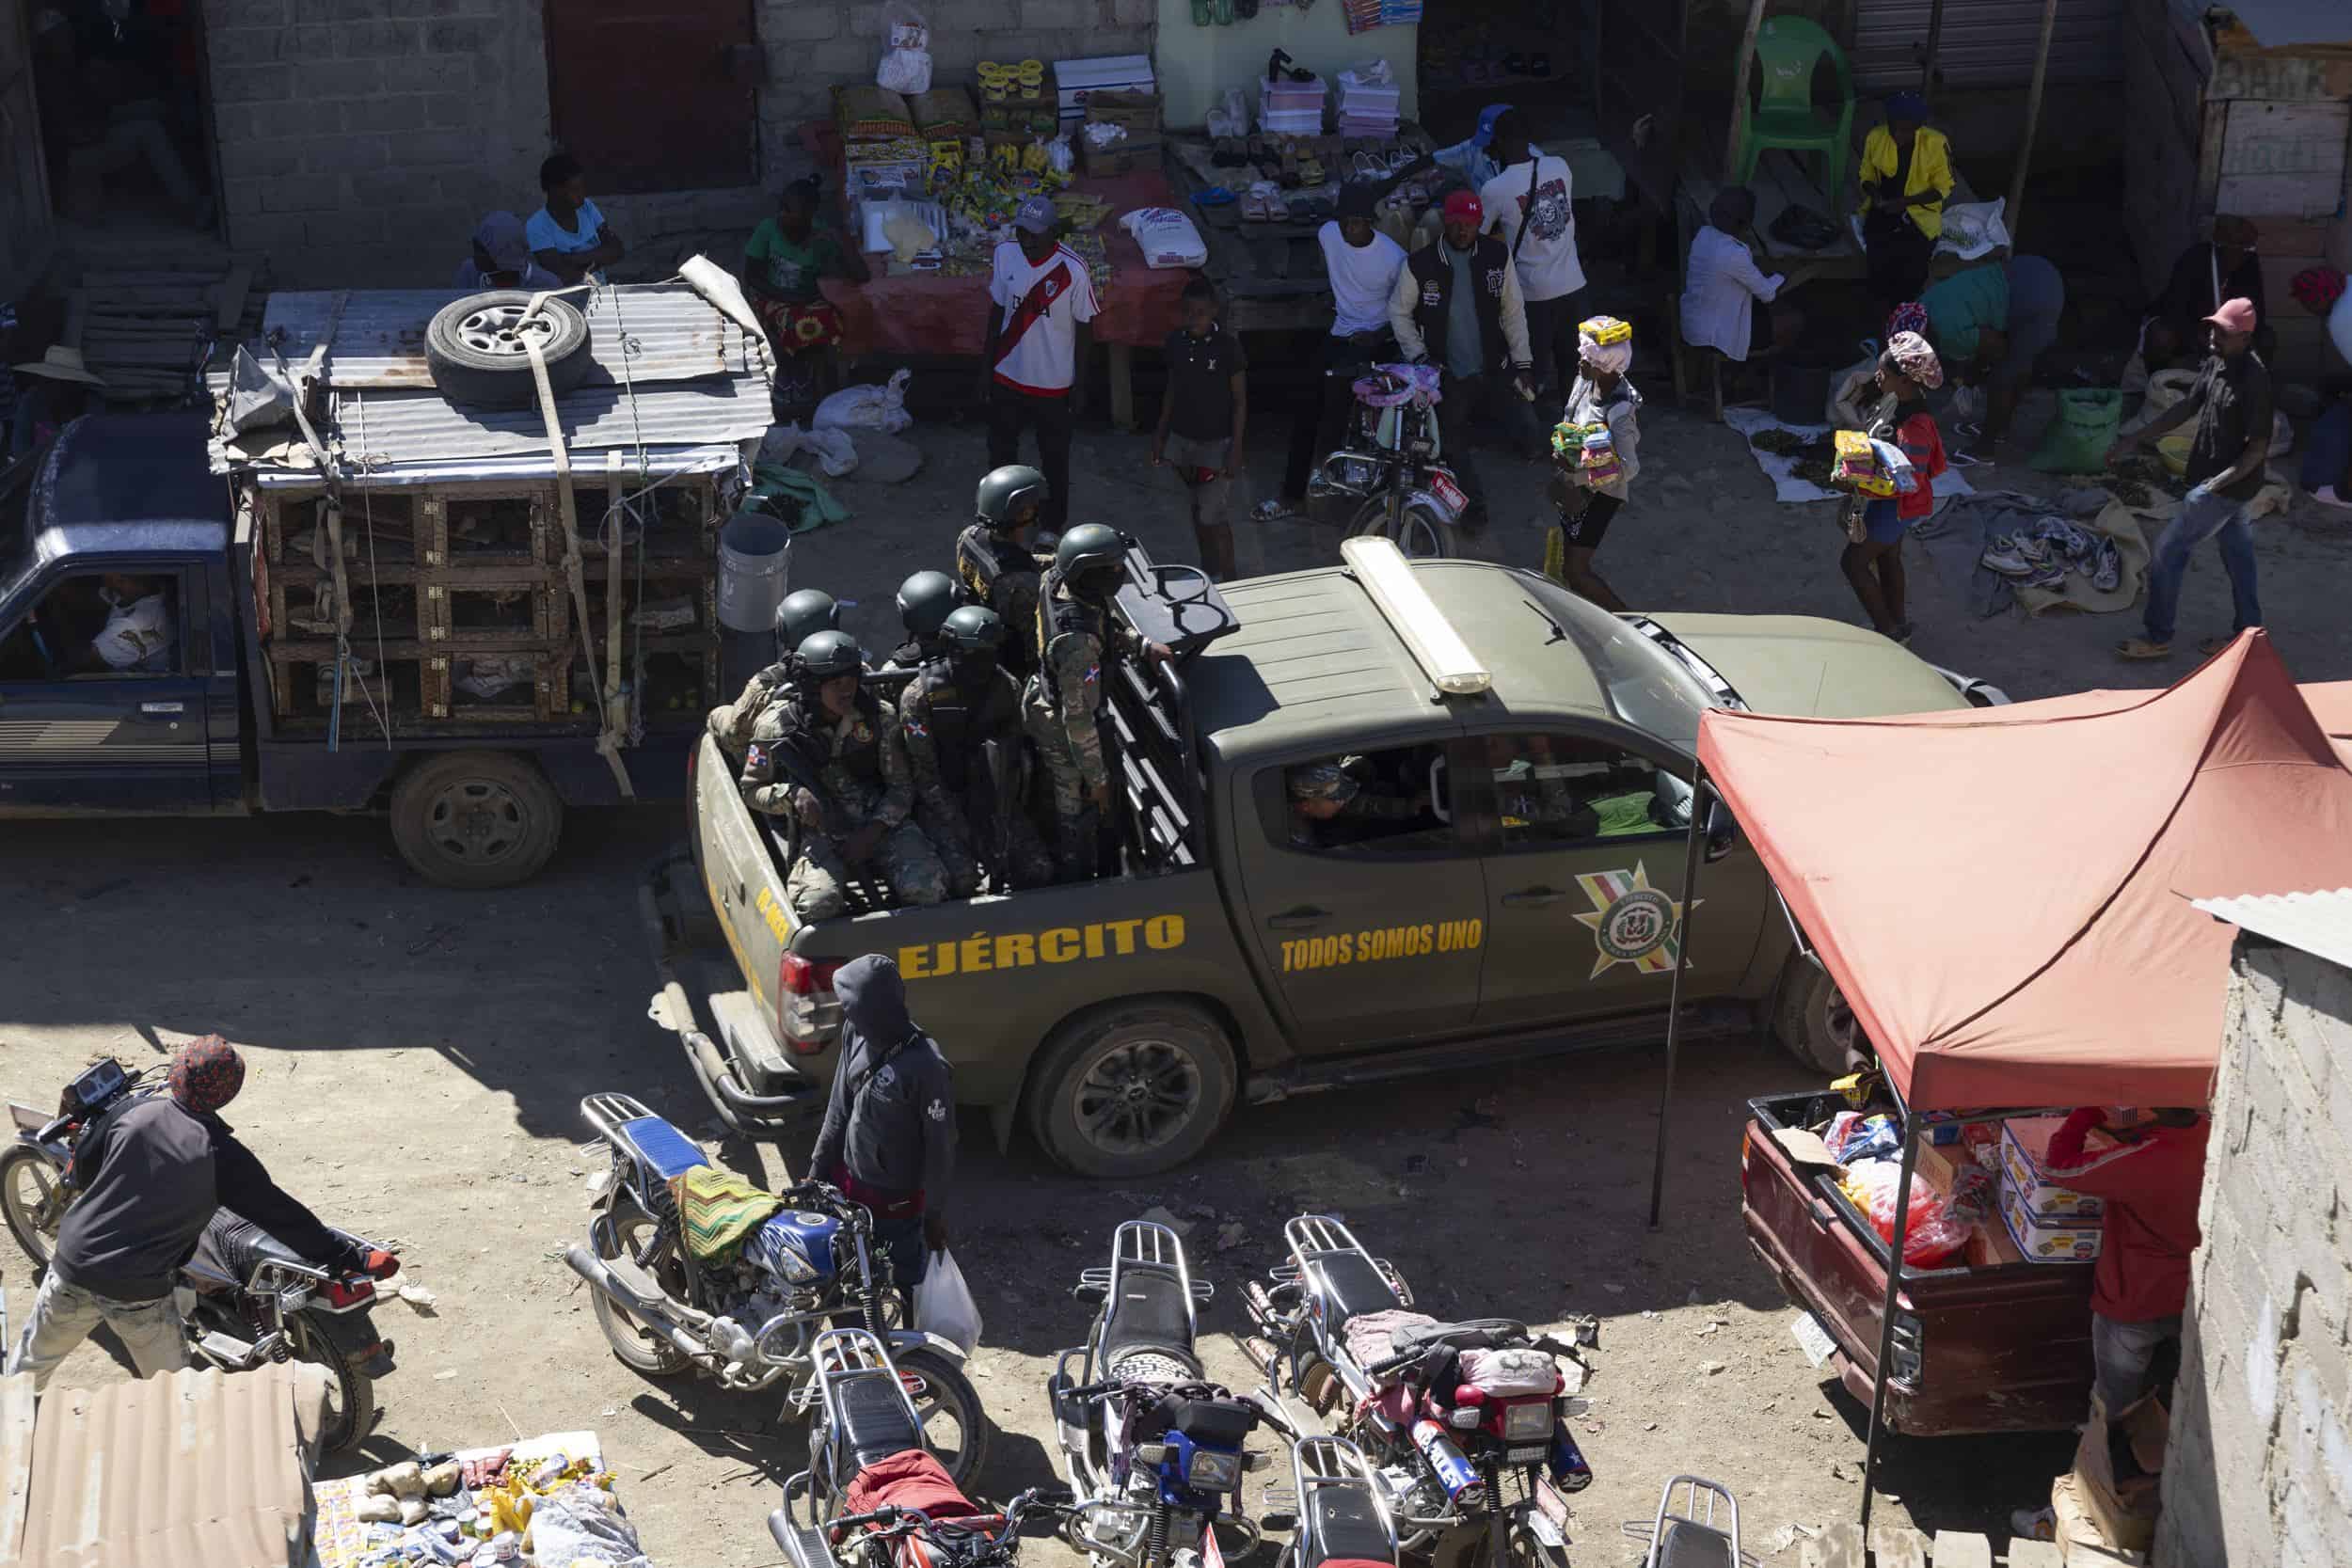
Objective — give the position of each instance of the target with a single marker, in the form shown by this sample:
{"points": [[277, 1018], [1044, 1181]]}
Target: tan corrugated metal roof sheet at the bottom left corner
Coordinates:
{"points": [[192, 1468]]}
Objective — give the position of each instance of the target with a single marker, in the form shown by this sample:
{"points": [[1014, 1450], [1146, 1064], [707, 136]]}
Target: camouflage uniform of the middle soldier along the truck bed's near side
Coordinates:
{"points": [[944, 732]]}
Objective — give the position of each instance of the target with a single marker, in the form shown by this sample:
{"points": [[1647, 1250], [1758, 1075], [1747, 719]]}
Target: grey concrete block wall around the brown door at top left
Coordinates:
{"points": [[361, 140]]}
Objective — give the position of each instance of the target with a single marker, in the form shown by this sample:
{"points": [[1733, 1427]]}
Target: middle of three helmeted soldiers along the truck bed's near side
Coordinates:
{"points": [[951, 709]]}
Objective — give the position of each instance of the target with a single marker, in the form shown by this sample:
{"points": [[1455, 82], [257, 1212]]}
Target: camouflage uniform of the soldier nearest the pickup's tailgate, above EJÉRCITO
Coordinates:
{"points": [[862, 777]]}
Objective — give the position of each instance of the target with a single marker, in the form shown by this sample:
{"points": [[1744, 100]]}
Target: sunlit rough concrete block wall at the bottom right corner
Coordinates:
{"points": [[2259, 1468]]}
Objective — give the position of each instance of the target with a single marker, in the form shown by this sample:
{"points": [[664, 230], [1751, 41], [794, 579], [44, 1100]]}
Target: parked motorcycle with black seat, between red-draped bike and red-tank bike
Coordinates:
{"points": [[1151, 1447]]}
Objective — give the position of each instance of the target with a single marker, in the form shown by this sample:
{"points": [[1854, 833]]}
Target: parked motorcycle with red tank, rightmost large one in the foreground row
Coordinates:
{"points": [[1464, 1426]]}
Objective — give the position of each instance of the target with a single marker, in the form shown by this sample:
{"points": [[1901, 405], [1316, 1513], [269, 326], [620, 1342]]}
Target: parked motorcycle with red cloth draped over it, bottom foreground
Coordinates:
{"points": [[874, 1494]]}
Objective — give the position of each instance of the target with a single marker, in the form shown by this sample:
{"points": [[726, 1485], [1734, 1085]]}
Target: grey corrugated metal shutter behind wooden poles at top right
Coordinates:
{"points": [[1986, 43]]}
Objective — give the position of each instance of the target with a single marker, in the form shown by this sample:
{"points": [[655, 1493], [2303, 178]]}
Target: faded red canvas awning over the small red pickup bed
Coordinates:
{"points": [[2003, 892]]}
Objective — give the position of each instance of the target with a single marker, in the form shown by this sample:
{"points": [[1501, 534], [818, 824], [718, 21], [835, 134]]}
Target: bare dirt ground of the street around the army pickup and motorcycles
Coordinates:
{"points": [[417, 1059]]}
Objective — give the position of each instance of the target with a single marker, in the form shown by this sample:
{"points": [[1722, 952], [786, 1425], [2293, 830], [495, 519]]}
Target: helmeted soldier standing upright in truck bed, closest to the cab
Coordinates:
{"points": [[1078, 636]]}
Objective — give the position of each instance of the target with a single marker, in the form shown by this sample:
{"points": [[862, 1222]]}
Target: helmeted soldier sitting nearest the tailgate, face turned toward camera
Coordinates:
{"points": [[829, 753]]}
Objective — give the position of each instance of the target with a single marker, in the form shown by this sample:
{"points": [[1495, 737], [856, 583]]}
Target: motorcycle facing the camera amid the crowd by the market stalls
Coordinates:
{"points": [[1389, 478]]}
